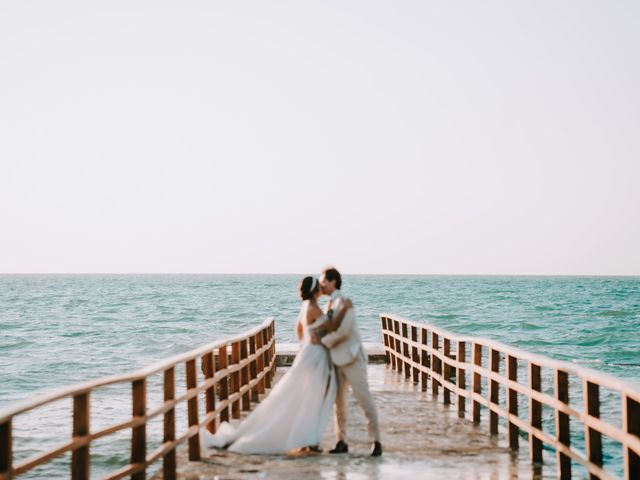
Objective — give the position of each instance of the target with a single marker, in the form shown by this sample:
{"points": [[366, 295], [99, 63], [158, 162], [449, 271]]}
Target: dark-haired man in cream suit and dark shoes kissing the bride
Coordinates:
{"points": [[350, 359]]}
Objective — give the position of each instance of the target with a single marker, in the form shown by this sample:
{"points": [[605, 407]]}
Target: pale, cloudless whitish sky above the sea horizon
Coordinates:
{"points": [[383, 137]]}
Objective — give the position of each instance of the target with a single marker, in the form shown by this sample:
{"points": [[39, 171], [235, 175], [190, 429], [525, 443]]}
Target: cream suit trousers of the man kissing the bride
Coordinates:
{"points": [[355, 374]]}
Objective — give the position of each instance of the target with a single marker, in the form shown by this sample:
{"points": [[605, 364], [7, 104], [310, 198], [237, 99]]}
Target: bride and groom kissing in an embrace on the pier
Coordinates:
{"points": [[295, 413]]}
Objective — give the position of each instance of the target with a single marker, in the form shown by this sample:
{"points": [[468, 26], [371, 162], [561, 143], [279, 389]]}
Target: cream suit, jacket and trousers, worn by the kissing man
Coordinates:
{"points": [[350, 358]]}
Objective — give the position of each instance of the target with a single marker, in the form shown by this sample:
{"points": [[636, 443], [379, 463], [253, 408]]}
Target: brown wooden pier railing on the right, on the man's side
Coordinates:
{"points": [[438, 359]]}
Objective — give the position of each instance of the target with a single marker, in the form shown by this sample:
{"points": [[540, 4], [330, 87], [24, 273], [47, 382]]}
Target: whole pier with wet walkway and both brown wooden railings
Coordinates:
{"points": [[450, 407]]}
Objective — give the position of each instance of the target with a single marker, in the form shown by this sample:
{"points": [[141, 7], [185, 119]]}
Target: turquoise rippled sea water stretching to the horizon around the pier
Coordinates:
{"points": [[60, 329]]}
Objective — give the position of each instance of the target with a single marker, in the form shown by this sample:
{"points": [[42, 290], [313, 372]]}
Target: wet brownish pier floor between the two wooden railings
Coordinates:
{"points": [[422, 439]]}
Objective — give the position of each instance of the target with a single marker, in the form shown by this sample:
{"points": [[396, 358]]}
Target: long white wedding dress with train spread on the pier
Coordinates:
{"points": [[296, 411]]}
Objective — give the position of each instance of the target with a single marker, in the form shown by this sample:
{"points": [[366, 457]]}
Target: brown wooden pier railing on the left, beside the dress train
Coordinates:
{"points": [[236, 370]]}
